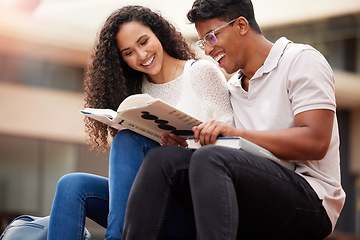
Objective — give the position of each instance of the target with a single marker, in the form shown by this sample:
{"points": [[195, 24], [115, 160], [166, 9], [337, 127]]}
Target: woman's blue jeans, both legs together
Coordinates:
{"points": [[81, 195]]}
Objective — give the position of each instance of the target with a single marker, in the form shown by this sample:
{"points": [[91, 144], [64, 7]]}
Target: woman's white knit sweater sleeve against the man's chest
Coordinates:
{"points": [[209, 84]]}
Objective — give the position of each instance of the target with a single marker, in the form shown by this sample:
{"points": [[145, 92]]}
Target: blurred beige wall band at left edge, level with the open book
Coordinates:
{"points": [[41, 113]]}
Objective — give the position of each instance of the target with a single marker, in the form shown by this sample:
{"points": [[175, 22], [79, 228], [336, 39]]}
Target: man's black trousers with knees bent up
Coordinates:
{"points": [[232, 194]]}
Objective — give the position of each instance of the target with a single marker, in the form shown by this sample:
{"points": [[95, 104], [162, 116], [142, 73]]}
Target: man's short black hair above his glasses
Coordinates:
{"points": [[226, 10]]}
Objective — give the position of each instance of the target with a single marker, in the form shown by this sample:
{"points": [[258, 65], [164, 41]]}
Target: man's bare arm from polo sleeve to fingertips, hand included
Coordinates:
{"points": [[308, 140]]}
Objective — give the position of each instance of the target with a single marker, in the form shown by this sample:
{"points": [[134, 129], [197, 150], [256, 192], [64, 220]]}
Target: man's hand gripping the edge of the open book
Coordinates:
{"points": [[208, 132]]}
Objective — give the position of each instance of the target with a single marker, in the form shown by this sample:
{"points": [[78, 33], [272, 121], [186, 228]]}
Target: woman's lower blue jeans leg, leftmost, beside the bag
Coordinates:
{"points": [[78, 195]]}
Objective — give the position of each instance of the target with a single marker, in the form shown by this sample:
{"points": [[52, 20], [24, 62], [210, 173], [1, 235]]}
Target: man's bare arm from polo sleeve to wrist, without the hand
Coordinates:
{"points": [[308, 140]]}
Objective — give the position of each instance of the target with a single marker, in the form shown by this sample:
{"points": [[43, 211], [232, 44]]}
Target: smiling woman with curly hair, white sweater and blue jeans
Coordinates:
{"points": [[138, 51]]}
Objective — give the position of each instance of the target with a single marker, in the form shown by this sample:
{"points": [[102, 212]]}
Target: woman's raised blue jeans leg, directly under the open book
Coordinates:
{"points": [[127, 153]]}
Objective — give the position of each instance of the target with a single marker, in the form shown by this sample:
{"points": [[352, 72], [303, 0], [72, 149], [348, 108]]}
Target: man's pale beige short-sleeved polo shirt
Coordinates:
{"points": [[294, 78]]}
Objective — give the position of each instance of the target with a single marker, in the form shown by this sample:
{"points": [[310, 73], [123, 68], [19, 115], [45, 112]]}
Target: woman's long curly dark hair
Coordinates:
{"points": [[109, 80]]}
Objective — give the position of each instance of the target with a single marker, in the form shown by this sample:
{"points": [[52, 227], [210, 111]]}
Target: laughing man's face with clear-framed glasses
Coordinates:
{"points": [[225, 50]]}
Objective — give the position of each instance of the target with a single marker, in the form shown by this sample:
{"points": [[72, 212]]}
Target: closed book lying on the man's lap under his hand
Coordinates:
{"points": [[241, 143]]}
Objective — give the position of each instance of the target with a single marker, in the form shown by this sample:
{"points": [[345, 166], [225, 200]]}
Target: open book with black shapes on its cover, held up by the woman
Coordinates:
{"points": [[147, 116]]}
